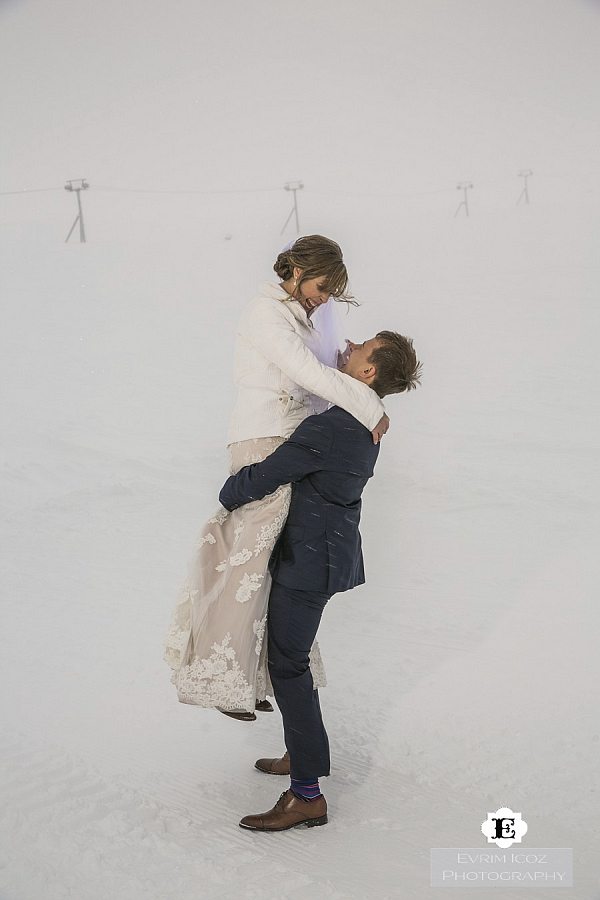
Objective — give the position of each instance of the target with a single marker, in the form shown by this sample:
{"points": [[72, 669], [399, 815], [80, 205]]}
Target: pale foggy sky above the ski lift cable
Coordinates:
{"points": [[346, 95]]}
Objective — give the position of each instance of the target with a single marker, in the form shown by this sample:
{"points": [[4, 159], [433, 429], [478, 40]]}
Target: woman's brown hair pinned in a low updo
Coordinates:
{"points": [[318, 257]]}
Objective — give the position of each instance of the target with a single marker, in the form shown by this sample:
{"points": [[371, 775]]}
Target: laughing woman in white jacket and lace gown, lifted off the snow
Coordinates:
{"points": [[285, 370]]}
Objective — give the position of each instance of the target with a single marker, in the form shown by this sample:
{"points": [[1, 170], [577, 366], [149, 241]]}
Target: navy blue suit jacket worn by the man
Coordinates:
{"points": [[328, 459]]}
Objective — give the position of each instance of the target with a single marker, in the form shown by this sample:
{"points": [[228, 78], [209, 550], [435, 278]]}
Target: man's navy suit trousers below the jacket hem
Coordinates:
{"points": [[293, 621]]}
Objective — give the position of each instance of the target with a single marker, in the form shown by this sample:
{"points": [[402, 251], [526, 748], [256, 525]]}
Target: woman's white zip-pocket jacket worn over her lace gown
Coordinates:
{"points": [[279, 379]]}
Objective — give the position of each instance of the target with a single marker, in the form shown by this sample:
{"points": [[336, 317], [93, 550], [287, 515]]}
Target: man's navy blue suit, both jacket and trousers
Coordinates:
{"points": [[328, 459]]}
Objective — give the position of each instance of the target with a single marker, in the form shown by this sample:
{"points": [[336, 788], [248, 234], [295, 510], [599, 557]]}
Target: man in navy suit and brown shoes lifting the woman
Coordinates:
{"points": [[329, 459]]}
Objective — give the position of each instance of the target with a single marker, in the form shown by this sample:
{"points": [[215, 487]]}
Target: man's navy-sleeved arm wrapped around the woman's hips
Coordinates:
{"points": [[302, 454]]}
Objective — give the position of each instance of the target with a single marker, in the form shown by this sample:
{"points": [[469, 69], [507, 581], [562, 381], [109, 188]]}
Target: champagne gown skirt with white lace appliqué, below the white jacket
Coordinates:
{"points": [[216, 645]]}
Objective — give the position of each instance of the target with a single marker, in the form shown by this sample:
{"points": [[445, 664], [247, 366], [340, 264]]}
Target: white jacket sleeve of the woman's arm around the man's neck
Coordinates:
{"points": [[270, 332]]}
